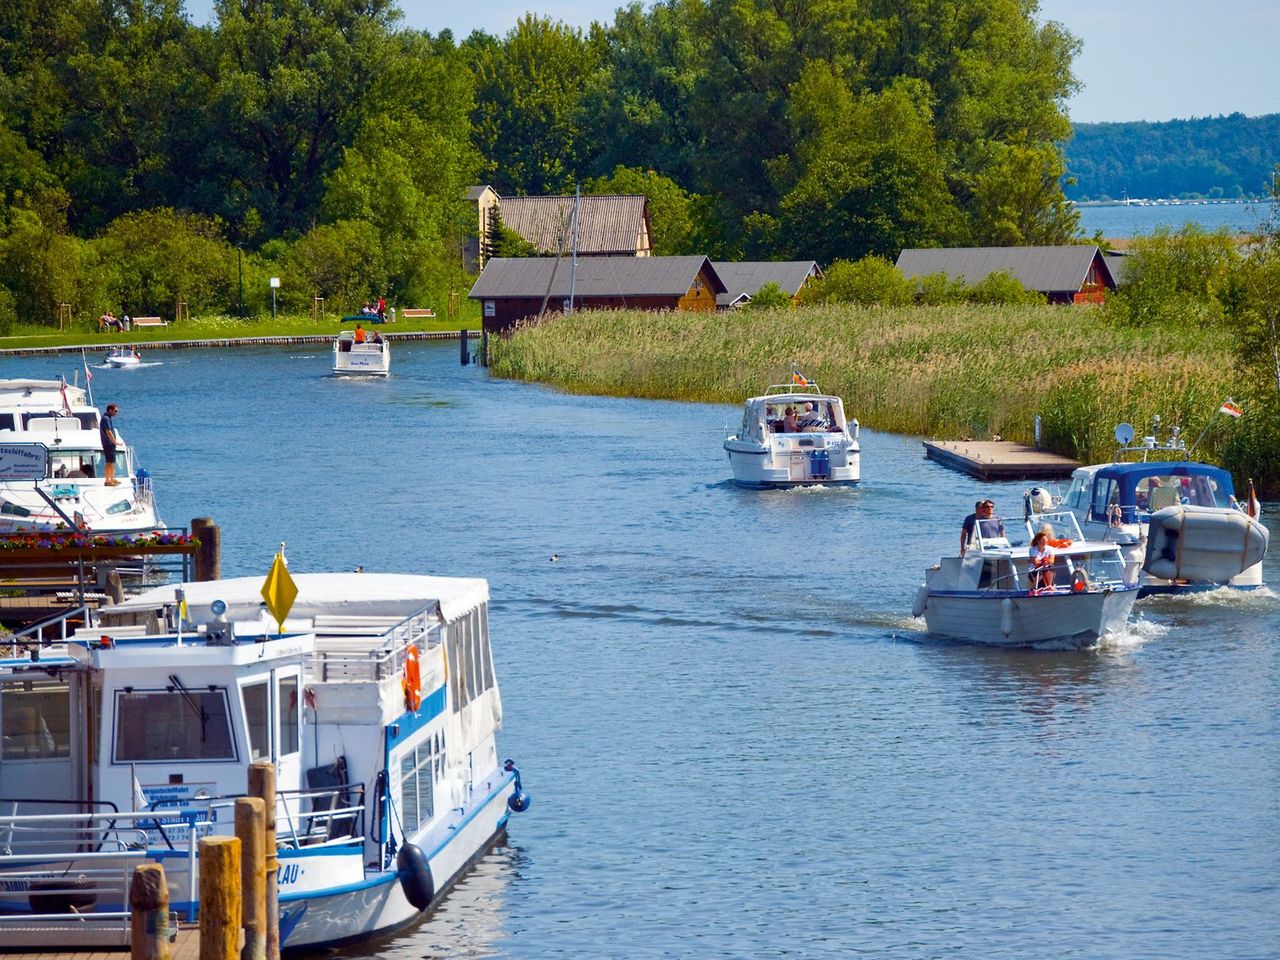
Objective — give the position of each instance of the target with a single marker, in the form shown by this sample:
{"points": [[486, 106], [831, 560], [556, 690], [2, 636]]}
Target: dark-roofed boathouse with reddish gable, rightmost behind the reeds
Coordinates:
{"points": [[1069, 275]]}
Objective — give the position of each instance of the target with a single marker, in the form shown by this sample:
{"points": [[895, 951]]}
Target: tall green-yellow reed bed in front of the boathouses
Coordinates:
{"points": [[943, 372]]}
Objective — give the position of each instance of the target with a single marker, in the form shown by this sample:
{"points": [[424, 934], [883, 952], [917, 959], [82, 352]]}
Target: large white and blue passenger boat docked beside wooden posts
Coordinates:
{"points": [[378, 705]]}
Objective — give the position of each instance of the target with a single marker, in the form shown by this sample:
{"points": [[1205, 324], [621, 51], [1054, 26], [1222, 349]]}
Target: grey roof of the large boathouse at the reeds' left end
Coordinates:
{"points": [[596, 277]]}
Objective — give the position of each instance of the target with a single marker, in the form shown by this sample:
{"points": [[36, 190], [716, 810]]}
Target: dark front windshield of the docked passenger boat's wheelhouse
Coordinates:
{"points": [[173, 725]]}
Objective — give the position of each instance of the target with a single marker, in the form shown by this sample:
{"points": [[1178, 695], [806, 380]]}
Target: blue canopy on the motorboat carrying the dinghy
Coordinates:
{"points": [[1154, 486]]}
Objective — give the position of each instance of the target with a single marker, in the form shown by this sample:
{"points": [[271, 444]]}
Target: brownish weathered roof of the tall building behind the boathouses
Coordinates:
{"points": [[609, 225]]}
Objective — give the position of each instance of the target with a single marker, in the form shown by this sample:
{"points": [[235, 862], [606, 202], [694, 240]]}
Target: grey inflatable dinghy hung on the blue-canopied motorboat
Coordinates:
{"points": [[1206, 545]]}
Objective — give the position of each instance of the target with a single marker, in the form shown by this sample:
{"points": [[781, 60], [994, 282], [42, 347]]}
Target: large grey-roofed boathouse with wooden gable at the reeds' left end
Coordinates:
{"points": [[518, 289]]}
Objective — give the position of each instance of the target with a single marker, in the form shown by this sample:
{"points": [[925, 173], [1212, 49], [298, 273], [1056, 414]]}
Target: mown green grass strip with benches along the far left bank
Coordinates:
{"points": [[218, 327]]}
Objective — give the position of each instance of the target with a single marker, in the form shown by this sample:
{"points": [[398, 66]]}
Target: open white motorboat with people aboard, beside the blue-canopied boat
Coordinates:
{"points": [[993, 596]]}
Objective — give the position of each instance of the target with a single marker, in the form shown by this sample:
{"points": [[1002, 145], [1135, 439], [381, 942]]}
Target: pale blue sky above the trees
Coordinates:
{"points": [[1142, 60]]}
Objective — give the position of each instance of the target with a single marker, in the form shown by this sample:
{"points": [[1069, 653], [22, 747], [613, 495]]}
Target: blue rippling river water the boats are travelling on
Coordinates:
{"points": [[738, 742]]}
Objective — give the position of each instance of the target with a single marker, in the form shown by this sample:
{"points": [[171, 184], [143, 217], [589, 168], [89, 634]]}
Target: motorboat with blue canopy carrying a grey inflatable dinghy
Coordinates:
{"points": [[1177, 522]]}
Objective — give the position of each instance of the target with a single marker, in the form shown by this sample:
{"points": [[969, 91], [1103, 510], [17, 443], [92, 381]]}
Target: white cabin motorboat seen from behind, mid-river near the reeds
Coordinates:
{"points": [[794, 436]]}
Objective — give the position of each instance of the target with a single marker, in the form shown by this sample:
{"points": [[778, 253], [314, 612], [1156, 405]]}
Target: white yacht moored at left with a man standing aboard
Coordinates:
{"points": [[56, 420]]}
